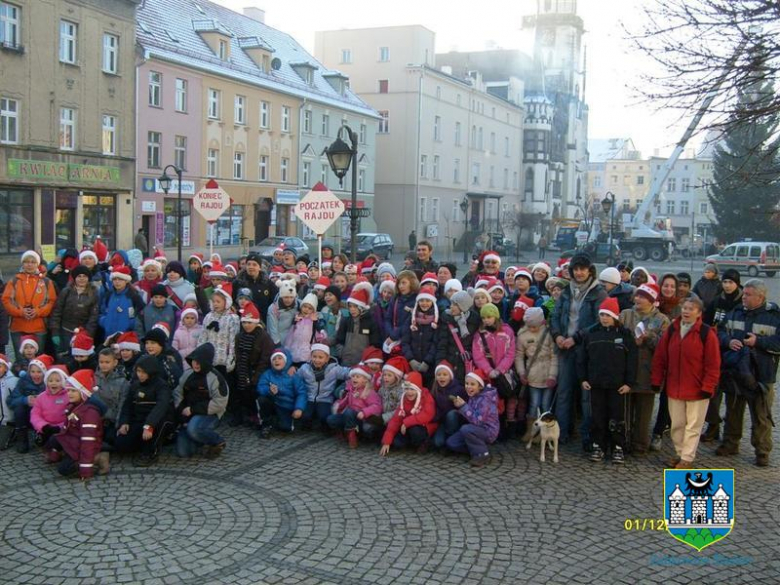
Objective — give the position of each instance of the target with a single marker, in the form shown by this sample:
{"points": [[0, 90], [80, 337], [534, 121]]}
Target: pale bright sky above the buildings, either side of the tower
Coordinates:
{"points": [[611, 65]]}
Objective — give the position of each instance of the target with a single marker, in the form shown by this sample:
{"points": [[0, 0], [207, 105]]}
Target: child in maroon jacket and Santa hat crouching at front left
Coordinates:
{"points": [[78, 448]]}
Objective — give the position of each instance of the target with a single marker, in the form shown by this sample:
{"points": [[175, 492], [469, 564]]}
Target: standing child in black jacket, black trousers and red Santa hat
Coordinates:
{"points": [[606, 368]]}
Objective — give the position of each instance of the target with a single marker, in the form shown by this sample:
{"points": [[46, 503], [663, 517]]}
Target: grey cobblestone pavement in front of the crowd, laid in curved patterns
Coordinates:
{"points": [[305, 509]]}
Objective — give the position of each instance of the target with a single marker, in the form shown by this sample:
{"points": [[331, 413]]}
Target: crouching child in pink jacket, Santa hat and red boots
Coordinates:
{"points": [[359, 403]]}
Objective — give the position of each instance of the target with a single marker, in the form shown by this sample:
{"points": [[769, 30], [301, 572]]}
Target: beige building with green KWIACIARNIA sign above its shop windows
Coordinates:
{"points": [[67, 125]]}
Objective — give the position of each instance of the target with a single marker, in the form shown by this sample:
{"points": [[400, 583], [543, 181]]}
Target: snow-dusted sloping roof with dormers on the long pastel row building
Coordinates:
{"points": [[168, 30]]}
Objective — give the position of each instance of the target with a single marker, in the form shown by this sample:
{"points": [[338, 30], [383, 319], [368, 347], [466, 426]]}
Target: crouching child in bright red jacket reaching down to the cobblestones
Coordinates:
{"points": [[412, 424]]}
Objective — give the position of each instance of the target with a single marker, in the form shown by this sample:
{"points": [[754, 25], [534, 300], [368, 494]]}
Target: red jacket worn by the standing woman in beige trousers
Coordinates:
{"points": [[688, 368]]}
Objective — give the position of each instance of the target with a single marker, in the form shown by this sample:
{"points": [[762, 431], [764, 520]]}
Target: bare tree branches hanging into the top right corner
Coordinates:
{"points": [[702, 46]]}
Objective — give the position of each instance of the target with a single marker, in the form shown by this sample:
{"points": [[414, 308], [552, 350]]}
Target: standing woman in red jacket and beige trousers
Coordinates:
{"points": [[687, 363]]}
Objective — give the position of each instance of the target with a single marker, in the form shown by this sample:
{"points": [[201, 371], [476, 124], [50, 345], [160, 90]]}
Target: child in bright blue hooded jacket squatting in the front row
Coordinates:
{"points": [[282, 395]]}
